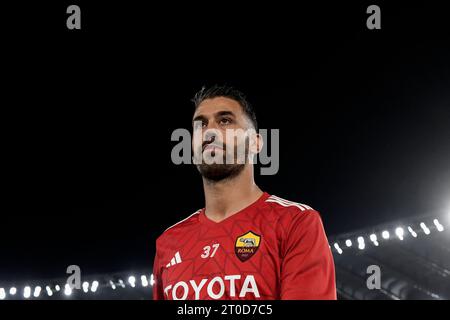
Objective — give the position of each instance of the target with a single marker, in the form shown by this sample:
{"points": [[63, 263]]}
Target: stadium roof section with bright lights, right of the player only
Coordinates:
{"points": [[413, 256]]}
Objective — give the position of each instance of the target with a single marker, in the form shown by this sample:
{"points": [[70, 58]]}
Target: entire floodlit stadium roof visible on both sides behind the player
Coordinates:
{"points": [[413, 256]]}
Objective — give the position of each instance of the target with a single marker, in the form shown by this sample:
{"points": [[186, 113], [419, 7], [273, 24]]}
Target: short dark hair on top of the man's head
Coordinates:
{"points": [[227, 92]]}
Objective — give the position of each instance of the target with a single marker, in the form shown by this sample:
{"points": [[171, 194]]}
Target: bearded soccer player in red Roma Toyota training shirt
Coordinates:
{"points": [[245, 243]]}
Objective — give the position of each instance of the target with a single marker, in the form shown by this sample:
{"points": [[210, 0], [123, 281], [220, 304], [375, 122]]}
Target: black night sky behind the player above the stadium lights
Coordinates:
{"points": [[364, 121]]}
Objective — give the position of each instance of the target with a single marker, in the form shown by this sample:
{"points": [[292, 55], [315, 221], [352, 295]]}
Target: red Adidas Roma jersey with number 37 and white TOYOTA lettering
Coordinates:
{"points": [[272, 249]]}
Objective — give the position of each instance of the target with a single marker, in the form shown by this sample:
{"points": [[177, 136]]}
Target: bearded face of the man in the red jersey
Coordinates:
{"points": [[221, 138]]}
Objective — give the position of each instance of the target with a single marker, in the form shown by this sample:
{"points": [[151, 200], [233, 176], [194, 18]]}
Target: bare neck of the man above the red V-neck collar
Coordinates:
{"points": [[227, 197]]}
